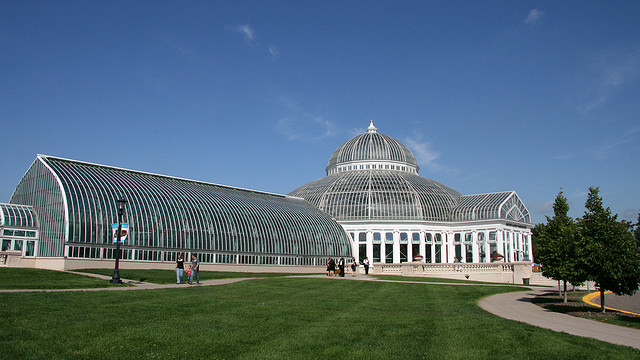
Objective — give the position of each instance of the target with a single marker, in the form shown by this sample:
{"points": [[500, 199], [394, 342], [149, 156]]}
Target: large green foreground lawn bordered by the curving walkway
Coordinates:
{"points": [[280, 318]]}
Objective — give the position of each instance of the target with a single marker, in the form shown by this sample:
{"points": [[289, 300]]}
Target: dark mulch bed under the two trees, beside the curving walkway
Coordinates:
{"points": [[576, 307]]}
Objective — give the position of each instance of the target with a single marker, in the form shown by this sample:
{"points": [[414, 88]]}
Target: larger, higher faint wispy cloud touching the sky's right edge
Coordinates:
{"points": [[609, 74]]}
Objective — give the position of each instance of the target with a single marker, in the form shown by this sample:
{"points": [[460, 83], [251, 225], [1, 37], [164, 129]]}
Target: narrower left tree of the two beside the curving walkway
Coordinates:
{"points": [[560, 249]]}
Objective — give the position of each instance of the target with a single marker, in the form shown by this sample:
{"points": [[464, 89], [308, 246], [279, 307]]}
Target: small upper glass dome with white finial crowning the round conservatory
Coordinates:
{"points": [[372, 147]]}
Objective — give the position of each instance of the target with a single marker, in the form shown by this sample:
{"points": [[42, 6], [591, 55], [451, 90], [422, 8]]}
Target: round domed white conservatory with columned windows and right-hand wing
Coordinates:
{"points": [[393, 215]]}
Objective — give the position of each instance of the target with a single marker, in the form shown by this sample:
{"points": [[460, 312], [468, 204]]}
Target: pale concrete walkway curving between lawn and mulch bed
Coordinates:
{"points": [[517, 306]]}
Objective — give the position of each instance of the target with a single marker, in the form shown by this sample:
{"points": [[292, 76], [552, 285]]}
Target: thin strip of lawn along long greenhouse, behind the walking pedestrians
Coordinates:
{"points": [[169, 276]]}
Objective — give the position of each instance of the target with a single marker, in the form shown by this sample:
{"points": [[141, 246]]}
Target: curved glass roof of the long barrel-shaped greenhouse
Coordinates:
{"points": [[76, 202]]}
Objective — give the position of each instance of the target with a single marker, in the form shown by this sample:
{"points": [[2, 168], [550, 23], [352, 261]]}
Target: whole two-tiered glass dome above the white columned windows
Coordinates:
{"points": [[374, 176]]}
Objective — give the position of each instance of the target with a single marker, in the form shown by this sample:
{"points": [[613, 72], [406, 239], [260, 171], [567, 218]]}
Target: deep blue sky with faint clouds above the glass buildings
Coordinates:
{"points": [[532, 96]]}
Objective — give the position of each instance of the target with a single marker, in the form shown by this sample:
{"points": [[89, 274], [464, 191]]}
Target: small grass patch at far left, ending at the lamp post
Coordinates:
{"points": [[25, 278]]}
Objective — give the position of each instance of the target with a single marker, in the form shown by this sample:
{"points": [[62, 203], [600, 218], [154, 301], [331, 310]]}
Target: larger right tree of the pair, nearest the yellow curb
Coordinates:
{"points": [[612, 254]]}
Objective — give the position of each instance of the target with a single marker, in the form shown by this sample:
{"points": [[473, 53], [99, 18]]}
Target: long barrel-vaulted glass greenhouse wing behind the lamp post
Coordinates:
{"points": [[76, 205]]}
